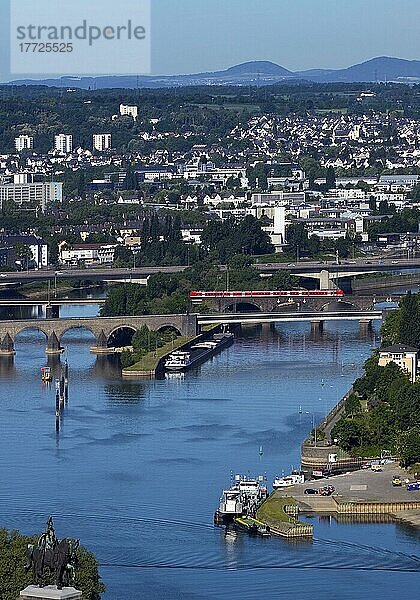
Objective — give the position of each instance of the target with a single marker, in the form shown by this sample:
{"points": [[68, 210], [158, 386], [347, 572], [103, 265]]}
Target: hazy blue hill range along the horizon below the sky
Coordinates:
{"points": [[255, 73]]}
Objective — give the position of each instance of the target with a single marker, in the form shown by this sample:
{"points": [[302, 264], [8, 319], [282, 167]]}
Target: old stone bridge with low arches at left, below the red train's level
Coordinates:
{"points": [[101, 327]]}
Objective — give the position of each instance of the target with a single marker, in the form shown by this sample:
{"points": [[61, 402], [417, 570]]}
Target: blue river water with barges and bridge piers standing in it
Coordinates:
{"points": [[138, 467]]}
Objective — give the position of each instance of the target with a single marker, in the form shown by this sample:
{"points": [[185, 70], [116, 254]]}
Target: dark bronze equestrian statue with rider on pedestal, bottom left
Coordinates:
{"points": [[58, 555]]}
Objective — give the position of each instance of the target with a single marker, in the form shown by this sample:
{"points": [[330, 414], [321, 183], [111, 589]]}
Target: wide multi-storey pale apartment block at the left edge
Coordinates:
{"points": [[31, 195]]}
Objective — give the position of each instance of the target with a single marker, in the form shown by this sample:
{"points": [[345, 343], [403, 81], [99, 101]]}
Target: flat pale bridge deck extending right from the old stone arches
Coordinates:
{"points": [[256, 317]]}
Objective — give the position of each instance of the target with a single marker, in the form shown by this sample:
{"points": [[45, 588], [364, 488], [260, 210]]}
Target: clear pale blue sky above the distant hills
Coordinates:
{"points": [[190, 36]]}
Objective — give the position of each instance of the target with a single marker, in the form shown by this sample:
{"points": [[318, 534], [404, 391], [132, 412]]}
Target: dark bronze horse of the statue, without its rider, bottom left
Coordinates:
{"points": [[60, 560]]}
